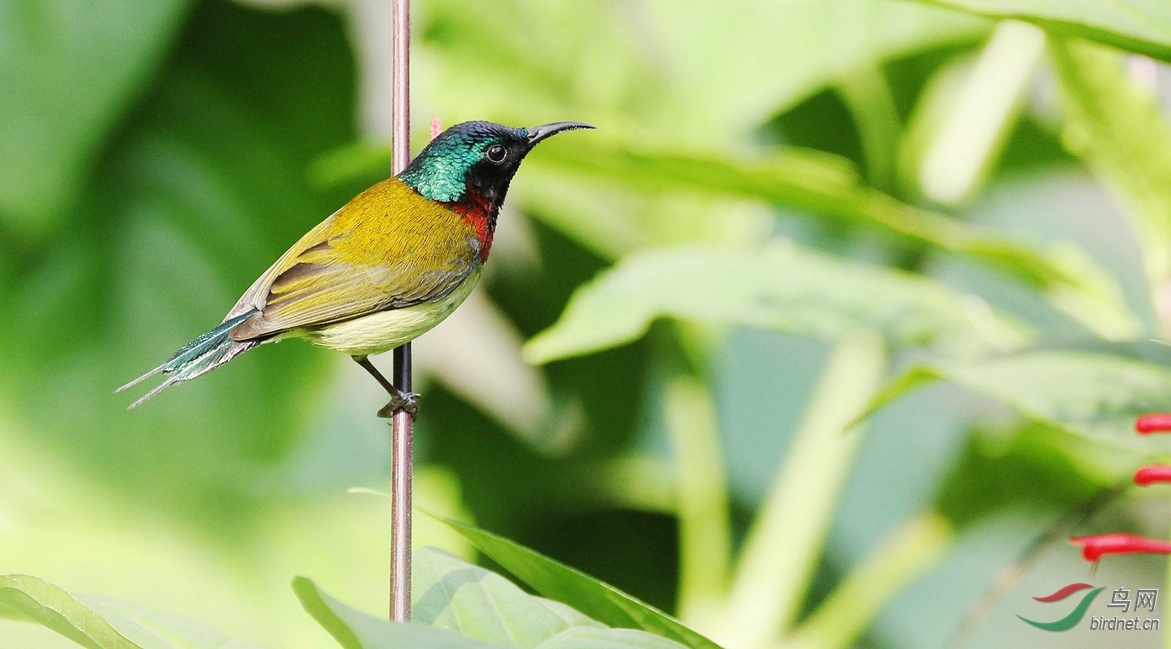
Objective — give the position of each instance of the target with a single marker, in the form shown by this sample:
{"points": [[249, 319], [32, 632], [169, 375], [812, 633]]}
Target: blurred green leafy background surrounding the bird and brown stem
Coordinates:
{"points": [[765, 185]]}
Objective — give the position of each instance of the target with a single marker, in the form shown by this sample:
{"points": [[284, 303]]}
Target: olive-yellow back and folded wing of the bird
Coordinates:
{"points": [[361, 262]]}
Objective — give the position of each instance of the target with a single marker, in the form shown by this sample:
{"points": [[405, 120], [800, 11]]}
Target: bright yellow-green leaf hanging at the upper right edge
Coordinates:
{"points": [[1120, 132]]}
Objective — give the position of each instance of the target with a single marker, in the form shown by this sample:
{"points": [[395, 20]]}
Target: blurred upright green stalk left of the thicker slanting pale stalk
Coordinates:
{"points": [[706, 544]]}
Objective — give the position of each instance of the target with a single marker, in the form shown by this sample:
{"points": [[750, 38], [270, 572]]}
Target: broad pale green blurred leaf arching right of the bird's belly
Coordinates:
{"points": [[783, 289]]}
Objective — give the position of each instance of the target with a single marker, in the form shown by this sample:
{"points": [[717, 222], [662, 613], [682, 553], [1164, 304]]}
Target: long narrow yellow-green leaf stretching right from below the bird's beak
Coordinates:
{"points": [[821, 185]]}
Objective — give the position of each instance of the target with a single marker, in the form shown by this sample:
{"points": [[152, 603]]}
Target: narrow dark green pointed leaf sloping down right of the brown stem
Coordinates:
{"points": [[558, 582]]}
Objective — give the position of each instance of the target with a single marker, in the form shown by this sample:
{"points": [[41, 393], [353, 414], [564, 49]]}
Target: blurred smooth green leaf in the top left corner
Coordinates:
{"points": [[72, 67]]}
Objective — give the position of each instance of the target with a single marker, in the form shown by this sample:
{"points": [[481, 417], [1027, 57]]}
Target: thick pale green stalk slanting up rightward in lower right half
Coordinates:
{"points": [[789, 536]]}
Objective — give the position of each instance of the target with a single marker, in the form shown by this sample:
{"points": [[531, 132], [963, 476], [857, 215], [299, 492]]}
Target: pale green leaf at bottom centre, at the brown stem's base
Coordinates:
{"points": [[462, 606]]}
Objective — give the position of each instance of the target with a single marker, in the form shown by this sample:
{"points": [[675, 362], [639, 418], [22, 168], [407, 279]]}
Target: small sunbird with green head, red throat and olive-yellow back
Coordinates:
{"points": [[387, 268]]}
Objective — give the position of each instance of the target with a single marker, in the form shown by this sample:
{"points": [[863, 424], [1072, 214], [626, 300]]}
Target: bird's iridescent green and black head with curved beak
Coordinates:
{"points": [[481, 158]]}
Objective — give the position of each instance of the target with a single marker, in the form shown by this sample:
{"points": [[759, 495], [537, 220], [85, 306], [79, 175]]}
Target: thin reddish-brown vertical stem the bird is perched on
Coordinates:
{"points": [[401, 425]]}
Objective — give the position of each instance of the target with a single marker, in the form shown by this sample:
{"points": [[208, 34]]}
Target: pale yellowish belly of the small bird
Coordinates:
{"points": [[385, 331]]}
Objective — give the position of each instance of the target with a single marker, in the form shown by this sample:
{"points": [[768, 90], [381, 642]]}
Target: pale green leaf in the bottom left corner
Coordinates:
{"points": [[105, 624]]}
